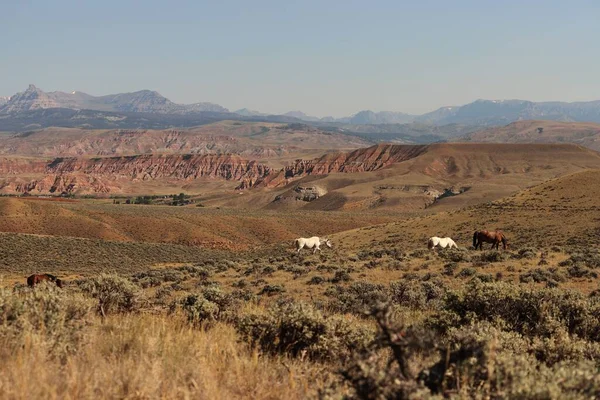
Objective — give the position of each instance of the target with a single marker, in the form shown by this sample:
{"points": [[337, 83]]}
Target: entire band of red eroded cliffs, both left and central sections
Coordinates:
{"points": [[101, 174]]}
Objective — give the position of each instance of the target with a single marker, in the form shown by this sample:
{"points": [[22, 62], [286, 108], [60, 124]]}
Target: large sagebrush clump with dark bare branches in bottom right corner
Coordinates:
{"points": [[473, 361]]}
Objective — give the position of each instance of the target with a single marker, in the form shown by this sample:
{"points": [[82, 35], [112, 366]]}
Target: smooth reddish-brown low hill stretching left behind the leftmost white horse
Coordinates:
{"points": [[192, 226]]}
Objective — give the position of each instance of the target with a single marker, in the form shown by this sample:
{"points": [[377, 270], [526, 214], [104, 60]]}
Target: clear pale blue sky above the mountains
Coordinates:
{"points": [[326, 58]]}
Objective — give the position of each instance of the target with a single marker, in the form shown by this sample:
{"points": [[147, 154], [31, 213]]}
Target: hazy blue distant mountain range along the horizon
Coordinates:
{"points": [[25, 108]]}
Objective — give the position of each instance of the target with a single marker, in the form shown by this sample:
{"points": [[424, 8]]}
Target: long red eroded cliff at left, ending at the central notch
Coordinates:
{"points": [[99, 175]]}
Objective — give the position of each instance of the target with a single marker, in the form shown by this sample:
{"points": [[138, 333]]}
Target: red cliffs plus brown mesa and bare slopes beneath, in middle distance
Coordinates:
{"points": [[383, 177]]}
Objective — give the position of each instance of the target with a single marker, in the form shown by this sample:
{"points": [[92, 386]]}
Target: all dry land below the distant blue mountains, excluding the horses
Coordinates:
{"points": [[208, 298]]}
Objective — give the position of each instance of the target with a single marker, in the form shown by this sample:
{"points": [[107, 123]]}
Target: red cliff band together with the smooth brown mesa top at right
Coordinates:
{"points": [[440, 161]]}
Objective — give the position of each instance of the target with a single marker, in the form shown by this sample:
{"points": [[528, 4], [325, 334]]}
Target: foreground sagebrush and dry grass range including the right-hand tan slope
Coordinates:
{"points": [[377, 317]]}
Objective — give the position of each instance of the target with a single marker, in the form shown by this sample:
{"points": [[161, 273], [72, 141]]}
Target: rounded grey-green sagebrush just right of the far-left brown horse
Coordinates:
{"points": [[114, 293]]}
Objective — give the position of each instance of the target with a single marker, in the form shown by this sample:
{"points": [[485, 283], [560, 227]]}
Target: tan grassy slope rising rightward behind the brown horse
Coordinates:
{"points": [[561, 211]]}
